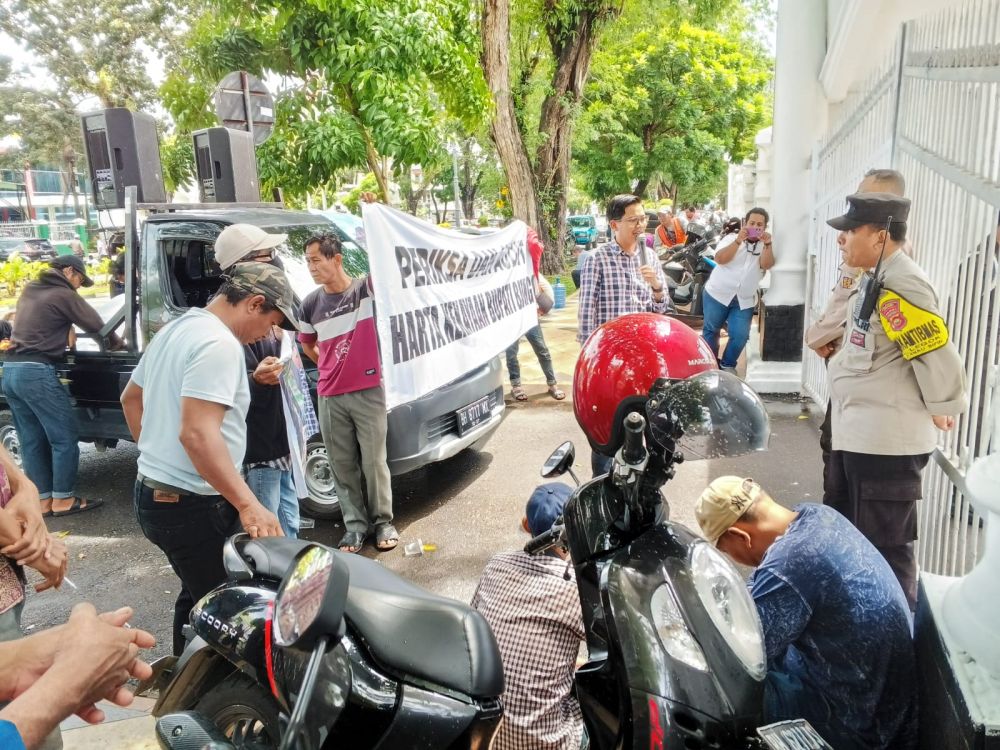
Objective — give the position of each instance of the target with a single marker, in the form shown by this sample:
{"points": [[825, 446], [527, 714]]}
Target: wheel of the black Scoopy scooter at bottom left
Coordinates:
{"points": [[242, 711]]}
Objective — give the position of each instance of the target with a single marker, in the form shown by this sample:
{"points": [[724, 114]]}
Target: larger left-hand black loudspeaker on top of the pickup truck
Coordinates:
{"points": [[122, 150]]}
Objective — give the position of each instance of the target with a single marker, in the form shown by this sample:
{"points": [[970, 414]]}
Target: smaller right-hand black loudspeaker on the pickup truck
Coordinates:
{"points": [[227, 166]]}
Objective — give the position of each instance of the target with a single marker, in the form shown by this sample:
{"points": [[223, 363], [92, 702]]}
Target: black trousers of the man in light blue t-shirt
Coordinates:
{"points": [[191, 531]]}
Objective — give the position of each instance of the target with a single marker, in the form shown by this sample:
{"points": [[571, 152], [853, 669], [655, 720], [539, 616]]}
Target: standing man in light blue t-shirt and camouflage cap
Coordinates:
{"points": [[186, 405]]}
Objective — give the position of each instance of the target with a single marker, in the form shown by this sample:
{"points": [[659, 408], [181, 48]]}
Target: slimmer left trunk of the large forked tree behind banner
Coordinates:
{"points": [[504, 130]]}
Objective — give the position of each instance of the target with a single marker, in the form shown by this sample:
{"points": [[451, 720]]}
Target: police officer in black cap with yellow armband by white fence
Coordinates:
{"points": [[895, 380]]}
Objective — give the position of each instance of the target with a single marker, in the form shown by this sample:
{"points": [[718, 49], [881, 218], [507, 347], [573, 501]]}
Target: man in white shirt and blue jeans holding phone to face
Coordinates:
{"points": [[731, 292]]}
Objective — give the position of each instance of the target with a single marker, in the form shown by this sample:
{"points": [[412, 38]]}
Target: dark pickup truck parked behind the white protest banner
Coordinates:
{"points": [[170, 266]]}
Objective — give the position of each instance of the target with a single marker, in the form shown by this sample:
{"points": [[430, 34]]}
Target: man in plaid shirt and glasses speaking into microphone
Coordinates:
{"points": [[623, 276]]}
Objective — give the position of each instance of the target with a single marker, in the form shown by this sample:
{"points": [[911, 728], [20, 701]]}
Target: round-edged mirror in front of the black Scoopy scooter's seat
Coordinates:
{"points": [[310, 603]]}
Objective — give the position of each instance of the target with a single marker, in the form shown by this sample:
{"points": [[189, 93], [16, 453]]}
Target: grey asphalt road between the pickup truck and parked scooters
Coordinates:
{"points": [[469, 506]]}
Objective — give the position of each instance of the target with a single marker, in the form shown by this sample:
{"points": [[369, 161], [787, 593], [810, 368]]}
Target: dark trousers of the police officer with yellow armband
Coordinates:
{"points": [[878, 494]]}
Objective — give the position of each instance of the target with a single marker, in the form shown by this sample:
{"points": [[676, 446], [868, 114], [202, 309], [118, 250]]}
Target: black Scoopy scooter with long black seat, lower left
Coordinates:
{"points": [[405, 668]]}
